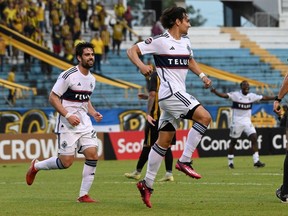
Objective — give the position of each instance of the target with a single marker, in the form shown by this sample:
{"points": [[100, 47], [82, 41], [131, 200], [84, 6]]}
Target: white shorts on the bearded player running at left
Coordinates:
{"points": [[68, 143]]}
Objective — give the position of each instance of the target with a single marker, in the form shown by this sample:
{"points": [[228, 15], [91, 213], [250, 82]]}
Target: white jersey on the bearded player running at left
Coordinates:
{"points": [[75, 90]]}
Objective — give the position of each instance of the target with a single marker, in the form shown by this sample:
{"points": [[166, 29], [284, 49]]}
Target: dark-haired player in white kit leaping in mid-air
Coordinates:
{"points": [[173, 57]]}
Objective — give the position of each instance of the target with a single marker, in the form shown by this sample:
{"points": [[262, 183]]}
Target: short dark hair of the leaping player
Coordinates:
{"points": [[170, 15]]}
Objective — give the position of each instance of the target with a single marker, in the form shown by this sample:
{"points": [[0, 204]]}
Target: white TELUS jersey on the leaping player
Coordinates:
{"points": [[171, 60]]}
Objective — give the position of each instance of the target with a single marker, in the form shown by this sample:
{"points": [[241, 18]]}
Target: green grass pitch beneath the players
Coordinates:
{"points": [[242, 191]]}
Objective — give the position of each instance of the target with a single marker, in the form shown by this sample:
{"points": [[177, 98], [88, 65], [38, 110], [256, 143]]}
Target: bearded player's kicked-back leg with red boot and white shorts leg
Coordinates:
{"points": [[64, 160]]}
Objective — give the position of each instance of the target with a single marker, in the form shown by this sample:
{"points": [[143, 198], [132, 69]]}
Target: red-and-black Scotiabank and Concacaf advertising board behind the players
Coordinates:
{"points": [[215, 142]]}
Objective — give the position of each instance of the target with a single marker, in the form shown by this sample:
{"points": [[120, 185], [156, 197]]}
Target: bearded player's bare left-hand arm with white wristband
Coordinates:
{"points": [[54, 100]]}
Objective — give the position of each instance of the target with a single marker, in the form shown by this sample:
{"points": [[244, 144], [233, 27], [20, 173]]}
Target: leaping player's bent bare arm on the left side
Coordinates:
{"points": [[132, 54]]}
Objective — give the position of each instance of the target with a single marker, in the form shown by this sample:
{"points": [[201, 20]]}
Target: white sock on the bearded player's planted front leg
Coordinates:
{"points": [[88, 175]]}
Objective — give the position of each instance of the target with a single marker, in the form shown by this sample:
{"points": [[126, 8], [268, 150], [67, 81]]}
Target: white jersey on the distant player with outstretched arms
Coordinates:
{"points": [[242, 105]]}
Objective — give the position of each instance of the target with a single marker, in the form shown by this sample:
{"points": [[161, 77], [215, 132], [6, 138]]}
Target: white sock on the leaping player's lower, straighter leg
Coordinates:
{"points": [[154, 161]]}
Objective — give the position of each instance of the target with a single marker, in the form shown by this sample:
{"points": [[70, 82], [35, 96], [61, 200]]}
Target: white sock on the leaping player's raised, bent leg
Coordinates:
{"points": [[194, 136]]}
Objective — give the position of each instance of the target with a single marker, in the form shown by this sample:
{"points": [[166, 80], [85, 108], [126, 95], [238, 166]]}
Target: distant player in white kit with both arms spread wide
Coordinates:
{"points": [[241, 119]]}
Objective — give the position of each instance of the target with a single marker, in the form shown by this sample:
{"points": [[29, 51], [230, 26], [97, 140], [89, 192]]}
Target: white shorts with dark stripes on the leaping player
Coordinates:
{"points": [[174, 107]]}
